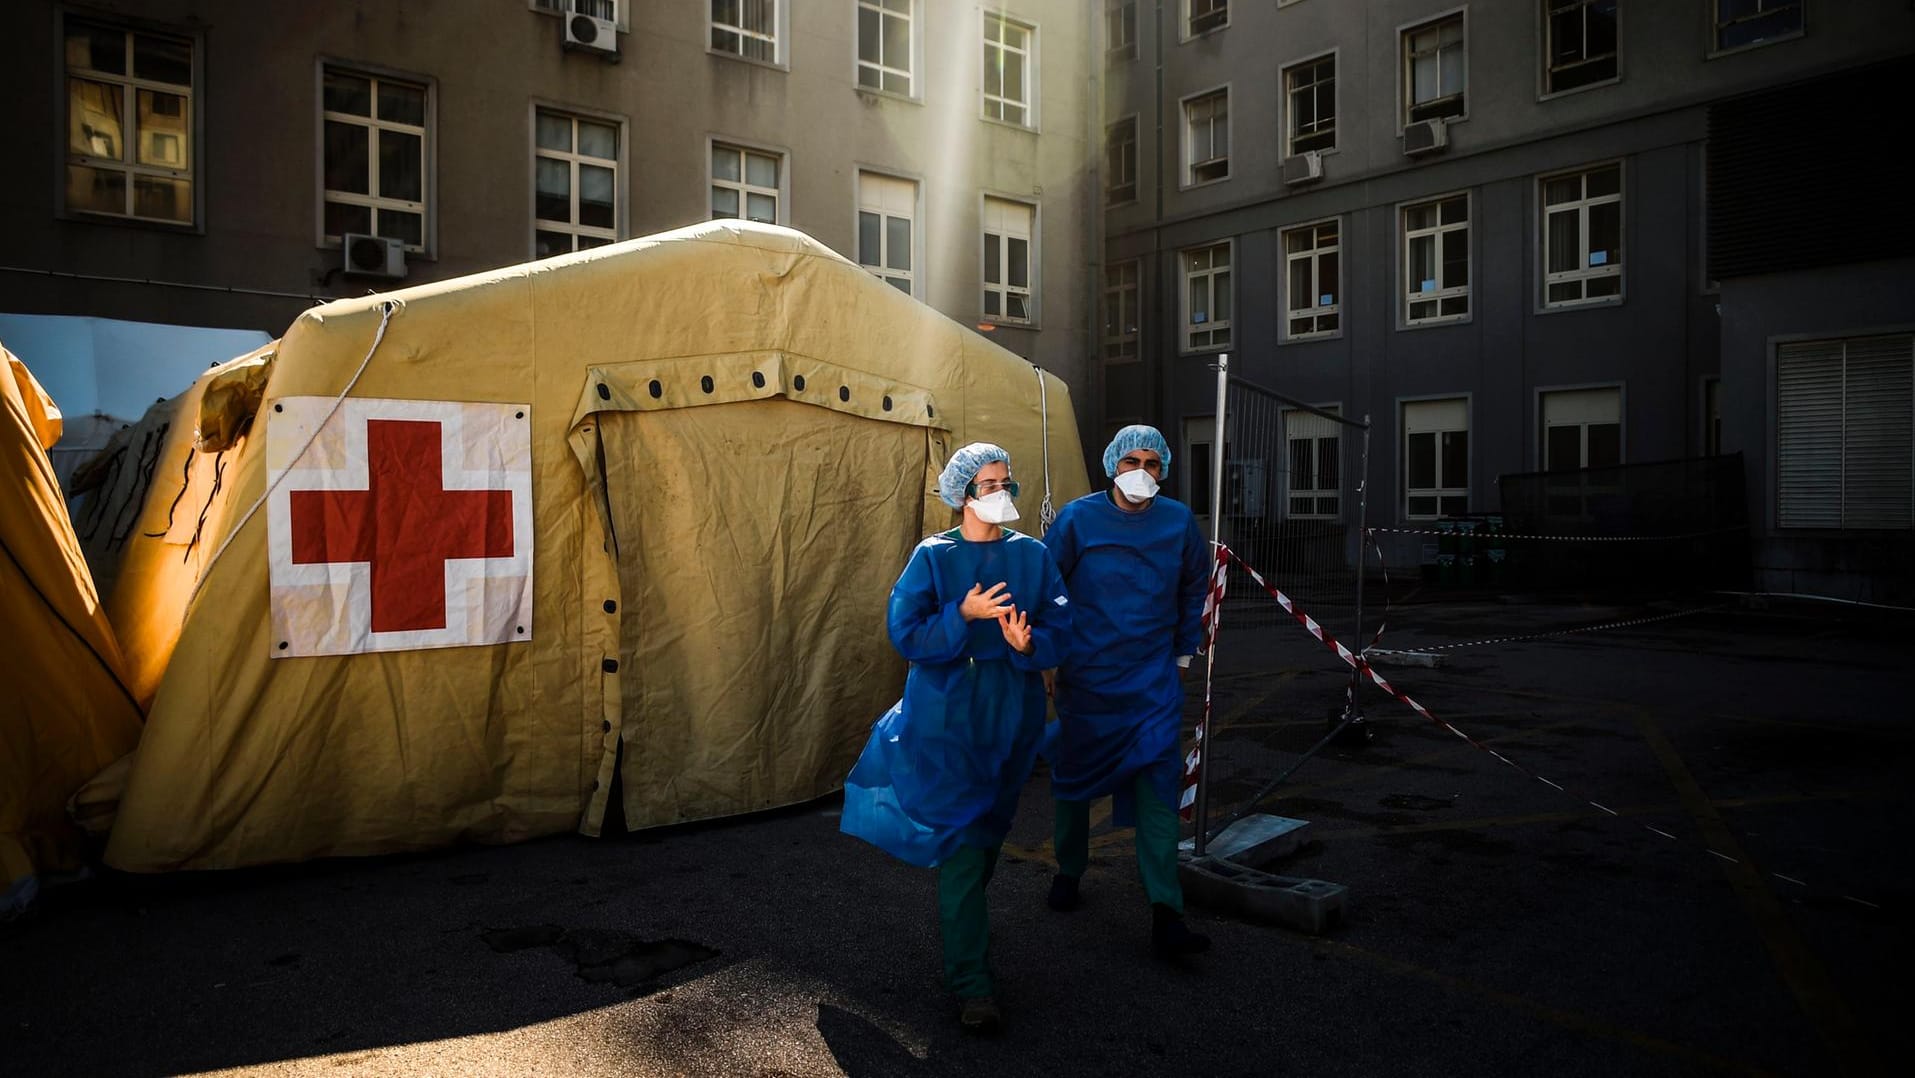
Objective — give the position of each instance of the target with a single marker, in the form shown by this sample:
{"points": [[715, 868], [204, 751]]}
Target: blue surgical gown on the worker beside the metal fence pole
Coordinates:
{"points": [[1137, 591]]}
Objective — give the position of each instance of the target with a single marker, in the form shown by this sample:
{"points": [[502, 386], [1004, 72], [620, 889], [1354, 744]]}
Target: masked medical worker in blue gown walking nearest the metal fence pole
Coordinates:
{"points": [[1137, 570]]}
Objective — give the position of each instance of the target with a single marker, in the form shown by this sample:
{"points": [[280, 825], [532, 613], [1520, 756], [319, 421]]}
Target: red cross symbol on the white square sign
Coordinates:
{"points": [[407, 526]]}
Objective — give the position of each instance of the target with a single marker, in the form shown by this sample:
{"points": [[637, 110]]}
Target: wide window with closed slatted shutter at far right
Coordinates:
{"points": [[1845, 455]]}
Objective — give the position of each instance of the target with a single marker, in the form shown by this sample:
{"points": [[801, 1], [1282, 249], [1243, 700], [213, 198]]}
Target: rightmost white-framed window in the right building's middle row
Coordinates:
{"points": [[1583, 236]]}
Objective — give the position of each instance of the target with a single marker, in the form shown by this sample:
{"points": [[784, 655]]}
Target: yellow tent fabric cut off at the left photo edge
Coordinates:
{"points": [[64, 711]]}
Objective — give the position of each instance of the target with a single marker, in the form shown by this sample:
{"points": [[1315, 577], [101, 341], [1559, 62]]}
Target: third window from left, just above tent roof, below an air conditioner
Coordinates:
{"points": [[575, 189]]}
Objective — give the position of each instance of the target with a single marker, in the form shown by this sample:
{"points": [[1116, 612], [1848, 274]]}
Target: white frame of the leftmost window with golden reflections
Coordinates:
{"points": [[131, 85]]}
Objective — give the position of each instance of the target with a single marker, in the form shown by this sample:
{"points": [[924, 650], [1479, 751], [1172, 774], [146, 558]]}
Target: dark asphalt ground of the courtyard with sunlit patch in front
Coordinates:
{"points": [[1497, 926]]}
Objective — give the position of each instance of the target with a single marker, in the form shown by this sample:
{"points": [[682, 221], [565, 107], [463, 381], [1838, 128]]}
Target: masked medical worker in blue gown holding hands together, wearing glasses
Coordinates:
{"points": [[980, 614]]}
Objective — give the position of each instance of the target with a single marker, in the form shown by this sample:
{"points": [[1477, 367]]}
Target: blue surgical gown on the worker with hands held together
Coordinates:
{"points": [[945, 765]]}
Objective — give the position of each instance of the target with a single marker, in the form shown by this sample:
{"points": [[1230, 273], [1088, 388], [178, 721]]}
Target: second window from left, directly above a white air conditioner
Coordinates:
{"points": [[376, 143]]}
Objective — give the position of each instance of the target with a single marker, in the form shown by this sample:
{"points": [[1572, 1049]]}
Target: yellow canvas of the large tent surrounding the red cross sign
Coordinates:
{"points": [[736, 438]]}
